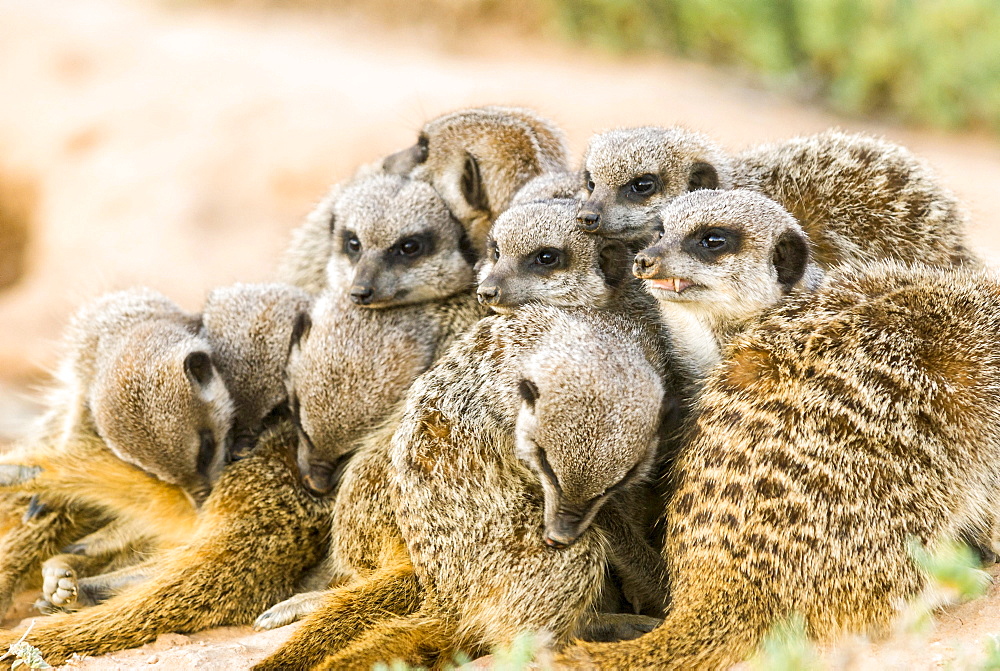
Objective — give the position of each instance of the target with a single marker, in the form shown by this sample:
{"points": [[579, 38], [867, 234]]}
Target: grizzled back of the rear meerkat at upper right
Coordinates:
{"points": [[859, 198]]}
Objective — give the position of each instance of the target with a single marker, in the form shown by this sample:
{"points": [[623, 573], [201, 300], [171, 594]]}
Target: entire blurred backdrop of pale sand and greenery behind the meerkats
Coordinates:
{"points": [[175, 143]]}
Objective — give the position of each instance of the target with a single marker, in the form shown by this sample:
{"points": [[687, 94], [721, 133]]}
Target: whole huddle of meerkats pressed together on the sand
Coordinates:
{"points": [[644, 410]]}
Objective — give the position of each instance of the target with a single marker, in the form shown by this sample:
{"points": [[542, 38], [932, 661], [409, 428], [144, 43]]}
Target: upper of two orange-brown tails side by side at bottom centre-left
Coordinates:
{"points": [[346, 613]]}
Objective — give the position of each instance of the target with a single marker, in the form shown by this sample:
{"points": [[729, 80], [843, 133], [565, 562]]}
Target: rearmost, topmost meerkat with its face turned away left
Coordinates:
{"points": [[478, 158]]}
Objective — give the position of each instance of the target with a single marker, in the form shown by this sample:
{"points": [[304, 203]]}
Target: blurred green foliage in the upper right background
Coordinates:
{"points": [[930, 61]]}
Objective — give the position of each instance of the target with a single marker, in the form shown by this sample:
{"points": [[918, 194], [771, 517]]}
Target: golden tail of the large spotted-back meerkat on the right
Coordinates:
{"points": [[712, 625]]}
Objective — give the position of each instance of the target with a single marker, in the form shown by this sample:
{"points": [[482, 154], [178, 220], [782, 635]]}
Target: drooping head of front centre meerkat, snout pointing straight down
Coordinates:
{"points": [[591, 406]]}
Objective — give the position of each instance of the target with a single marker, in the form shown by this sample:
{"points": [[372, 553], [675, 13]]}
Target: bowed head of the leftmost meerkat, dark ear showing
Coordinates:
{"points": [[160, 404]]}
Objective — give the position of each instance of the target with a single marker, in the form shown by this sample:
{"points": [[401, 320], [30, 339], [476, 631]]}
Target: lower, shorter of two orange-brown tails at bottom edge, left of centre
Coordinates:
{"points": [[413, 639]]}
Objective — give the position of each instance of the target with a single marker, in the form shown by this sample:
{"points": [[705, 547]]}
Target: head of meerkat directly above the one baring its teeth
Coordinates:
{"points": [[630, 173]]}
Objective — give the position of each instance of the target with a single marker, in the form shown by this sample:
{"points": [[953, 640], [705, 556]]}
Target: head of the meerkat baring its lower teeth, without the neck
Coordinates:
{"points": [[726, 254]]}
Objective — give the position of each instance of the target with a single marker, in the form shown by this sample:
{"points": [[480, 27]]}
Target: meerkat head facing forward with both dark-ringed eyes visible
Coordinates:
{"points": [[395, 243]]}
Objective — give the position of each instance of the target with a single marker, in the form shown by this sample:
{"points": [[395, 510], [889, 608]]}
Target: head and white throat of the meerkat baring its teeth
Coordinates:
{"points": [[724, 258]]}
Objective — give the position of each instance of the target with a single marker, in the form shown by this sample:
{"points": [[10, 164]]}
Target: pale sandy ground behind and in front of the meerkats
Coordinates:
{"points": [[177, 146]]}
